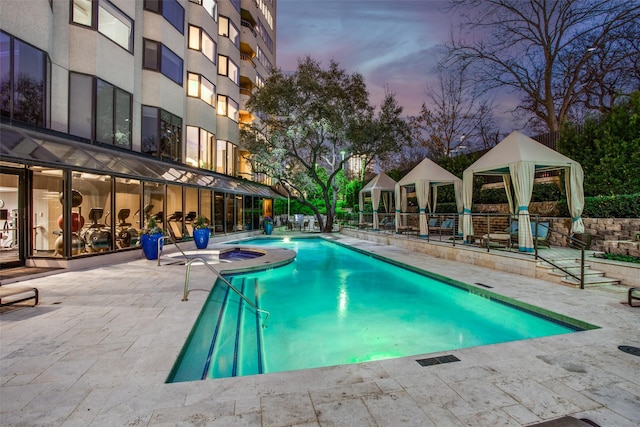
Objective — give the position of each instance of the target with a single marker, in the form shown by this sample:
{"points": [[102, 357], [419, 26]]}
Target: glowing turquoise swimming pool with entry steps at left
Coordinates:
{"points": [[334, 305]]}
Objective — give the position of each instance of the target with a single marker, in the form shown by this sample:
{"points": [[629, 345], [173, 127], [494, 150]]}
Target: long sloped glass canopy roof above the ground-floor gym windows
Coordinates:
{"points": [[48, 149]]}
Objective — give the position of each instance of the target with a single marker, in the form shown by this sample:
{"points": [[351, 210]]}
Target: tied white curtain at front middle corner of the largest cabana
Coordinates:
{"points": [[522, 175]]}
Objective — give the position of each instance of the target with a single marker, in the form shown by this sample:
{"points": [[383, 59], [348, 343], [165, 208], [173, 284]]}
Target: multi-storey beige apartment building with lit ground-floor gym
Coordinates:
{"points": [[116, 111]]}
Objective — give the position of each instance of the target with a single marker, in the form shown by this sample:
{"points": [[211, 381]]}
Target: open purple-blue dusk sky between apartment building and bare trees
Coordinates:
{"points": [[392, 43]]}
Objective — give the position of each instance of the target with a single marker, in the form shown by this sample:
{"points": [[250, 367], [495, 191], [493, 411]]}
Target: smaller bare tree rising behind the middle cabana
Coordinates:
{"points": [[455, 117]]}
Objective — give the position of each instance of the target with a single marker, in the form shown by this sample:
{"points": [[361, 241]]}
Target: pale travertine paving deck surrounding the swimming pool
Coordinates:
{"points": [[98, 348]]}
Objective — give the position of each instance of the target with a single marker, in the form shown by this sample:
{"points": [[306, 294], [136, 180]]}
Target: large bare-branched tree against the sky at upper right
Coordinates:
{"points": [[559, 56]]}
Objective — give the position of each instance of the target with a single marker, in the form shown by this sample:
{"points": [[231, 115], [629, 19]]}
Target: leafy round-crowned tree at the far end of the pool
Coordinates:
{"points": [[312, 122]]}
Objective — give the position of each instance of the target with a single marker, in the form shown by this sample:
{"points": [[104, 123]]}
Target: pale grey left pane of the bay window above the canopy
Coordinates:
{"points": [[80, 105]]}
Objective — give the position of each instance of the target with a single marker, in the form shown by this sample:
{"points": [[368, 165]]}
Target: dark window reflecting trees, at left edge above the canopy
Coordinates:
{"points": [[23, 79]]}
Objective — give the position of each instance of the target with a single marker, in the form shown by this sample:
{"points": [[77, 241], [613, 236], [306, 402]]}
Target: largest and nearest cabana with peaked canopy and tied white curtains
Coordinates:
{"points": [[516, 159]]}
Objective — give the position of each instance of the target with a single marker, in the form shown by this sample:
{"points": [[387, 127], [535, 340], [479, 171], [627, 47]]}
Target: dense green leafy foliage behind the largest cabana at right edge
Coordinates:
{"points": [[608, 148]]}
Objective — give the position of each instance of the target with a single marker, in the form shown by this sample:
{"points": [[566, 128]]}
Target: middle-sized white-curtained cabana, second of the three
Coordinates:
{"points": [[427, 176]]}
